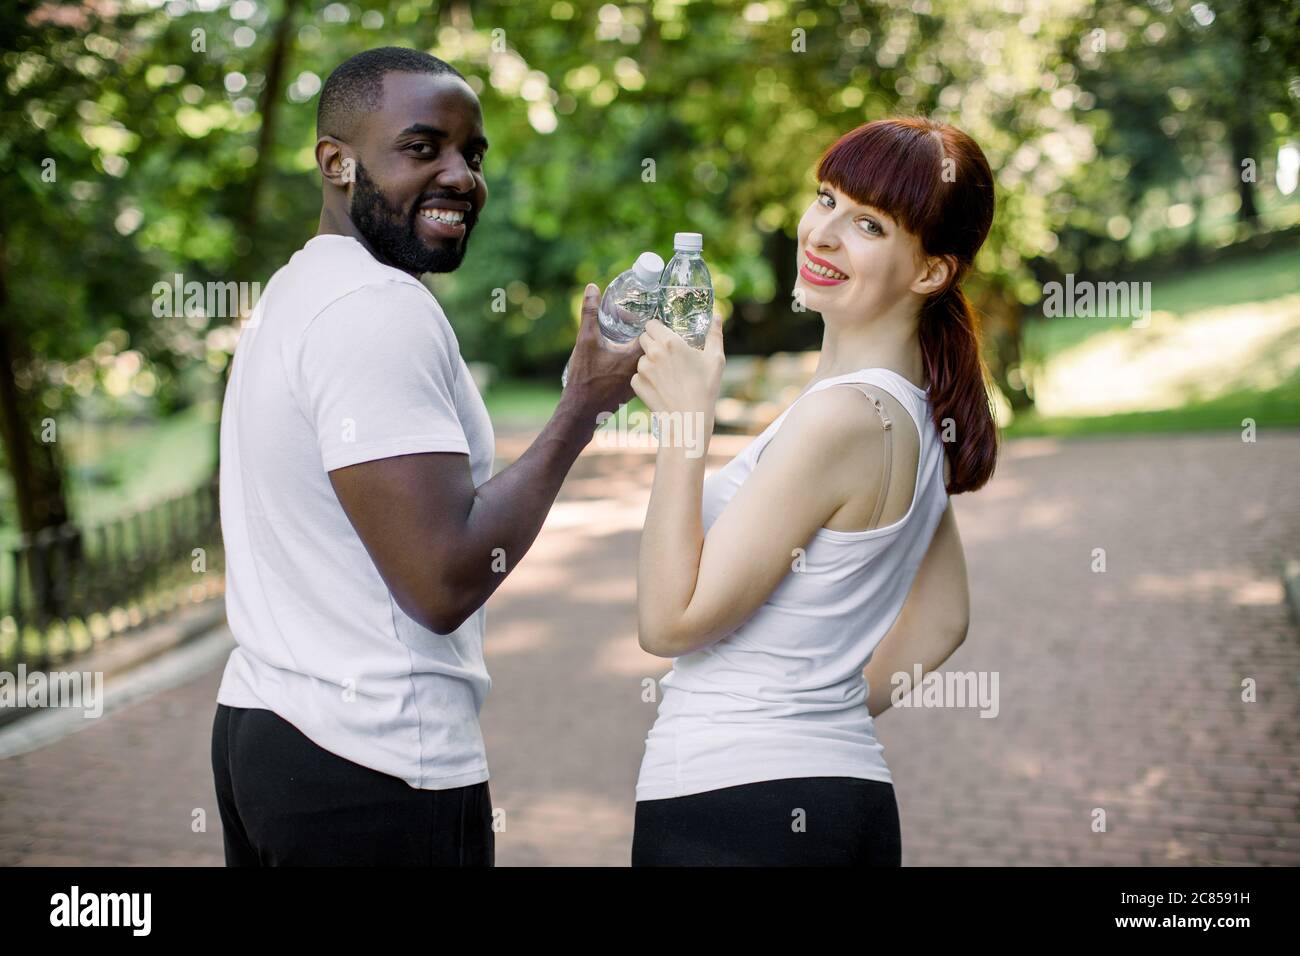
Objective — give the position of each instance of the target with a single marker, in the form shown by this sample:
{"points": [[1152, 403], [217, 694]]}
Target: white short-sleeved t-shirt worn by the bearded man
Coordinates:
{"points": [[345, 361]]}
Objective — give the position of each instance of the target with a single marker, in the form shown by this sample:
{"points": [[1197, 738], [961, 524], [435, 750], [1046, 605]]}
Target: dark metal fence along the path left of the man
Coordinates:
{"points": [[68, 589]]}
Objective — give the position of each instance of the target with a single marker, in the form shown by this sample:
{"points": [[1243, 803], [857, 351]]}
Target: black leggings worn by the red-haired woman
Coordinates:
{"points": [[803, 821]]}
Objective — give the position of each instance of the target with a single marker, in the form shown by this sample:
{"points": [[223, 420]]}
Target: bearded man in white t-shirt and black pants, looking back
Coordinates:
{"points": [[362, 524]]}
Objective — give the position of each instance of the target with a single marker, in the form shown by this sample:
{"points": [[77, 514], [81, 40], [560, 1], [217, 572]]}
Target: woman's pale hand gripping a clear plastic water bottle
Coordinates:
{"points": [[674, 378]]}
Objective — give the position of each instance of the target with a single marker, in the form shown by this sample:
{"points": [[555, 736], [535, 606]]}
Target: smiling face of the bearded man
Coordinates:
{"points": [[419, 172]]}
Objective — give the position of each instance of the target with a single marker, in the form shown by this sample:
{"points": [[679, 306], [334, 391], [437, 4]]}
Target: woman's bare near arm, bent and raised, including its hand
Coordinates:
{"points": [[695, 590]]}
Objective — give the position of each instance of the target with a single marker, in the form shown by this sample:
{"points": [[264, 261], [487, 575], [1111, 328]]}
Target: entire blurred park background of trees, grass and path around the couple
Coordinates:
{"points": [[148, 142]]}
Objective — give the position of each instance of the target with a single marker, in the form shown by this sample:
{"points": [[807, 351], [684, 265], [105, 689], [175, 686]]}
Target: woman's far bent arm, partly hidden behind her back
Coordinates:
{"points": [[934, 620]]}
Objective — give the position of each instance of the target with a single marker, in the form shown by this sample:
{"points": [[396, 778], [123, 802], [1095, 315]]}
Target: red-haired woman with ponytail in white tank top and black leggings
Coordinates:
{"points": [[827, 546]]}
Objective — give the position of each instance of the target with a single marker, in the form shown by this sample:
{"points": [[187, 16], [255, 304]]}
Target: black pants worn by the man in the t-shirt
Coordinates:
{"points": [[287, 802]]}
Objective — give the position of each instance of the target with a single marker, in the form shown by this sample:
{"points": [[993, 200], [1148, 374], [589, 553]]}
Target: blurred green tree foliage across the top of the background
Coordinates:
{"points": [[613, 127]]}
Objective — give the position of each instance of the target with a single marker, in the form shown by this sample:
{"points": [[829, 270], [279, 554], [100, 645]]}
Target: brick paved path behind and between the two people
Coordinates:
{"points": [[1119, 691]]}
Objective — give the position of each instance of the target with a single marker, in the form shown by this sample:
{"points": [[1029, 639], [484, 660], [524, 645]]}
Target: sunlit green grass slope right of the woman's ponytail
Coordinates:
{"points": [[1223, 345]]}
